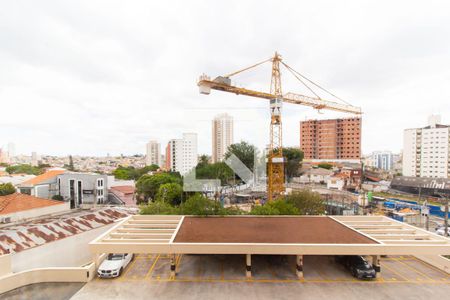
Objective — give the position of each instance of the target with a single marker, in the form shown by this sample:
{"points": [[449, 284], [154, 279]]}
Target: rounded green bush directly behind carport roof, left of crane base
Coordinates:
{"points": [[199, 205]]}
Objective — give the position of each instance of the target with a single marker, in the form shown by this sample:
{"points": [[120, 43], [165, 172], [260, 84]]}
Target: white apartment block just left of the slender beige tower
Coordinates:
{"points": [[181, 154]]}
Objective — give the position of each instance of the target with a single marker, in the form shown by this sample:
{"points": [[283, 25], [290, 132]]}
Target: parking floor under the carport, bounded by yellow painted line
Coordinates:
{"points": [[276, 268]]}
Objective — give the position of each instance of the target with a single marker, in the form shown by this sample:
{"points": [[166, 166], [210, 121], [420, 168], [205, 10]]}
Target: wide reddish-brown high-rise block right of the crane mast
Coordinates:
{"points": [[336, 139]]}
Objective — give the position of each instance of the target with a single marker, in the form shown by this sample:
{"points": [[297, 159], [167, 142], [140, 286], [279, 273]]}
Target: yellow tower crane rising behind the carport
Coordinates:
{"points": [[276, 179]]}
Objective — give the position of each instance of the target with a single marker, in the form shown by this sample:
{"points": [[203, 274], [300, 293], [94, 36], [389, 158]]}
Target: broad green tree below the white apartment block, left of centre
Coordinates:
{"points": [[148, 185]]}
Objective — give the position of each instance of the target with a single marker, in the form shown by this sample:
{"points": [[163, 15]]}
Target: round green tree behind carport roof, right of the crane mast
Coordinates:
{"points": [[307, 202]]}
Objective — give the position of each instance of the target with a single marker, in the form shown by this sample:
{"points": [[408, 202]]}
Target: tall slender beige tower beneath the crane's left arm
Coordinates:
{"points": [[222, 136]]}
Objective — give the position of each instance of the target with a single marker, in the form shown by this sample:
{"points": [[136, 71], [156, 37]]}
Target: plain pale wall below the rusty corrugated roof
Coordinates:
{"points": [[68, 252]]}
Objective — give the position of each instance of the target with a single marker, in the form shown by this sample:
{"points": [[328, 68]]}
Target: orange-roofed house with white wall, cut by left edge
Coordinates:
{"points": [[17, 207]]}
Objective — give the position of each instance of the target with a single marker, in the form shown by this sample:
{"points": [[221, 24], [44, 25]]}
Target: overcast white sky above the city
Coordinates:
{"points": [[97, 77]]}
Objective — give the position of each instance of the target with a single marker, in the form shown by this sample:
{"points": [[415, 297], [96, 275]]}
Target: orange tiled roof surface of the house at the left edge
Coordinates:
{"points": [[20, 202]]}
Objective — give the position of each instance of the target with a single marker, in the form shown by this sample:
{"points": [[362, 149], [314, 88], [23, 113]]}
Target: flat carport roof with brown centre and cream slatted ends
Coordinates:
{"points": [[290, 235]]}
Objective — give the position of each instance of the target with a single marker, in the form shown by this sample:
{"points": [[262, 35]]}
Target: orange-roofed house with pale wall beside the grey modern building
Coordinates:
{"points": [[41, 186]]}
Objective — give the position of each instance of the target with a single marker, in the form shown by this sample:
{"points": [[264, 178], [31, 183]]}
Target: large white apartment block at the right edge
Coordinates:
{"points": [[426, 150]]}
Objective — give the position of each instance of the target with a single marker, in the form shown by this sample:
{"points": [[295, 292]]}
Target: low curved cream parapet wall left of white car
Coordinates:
{"points": [[10, 281]]}
